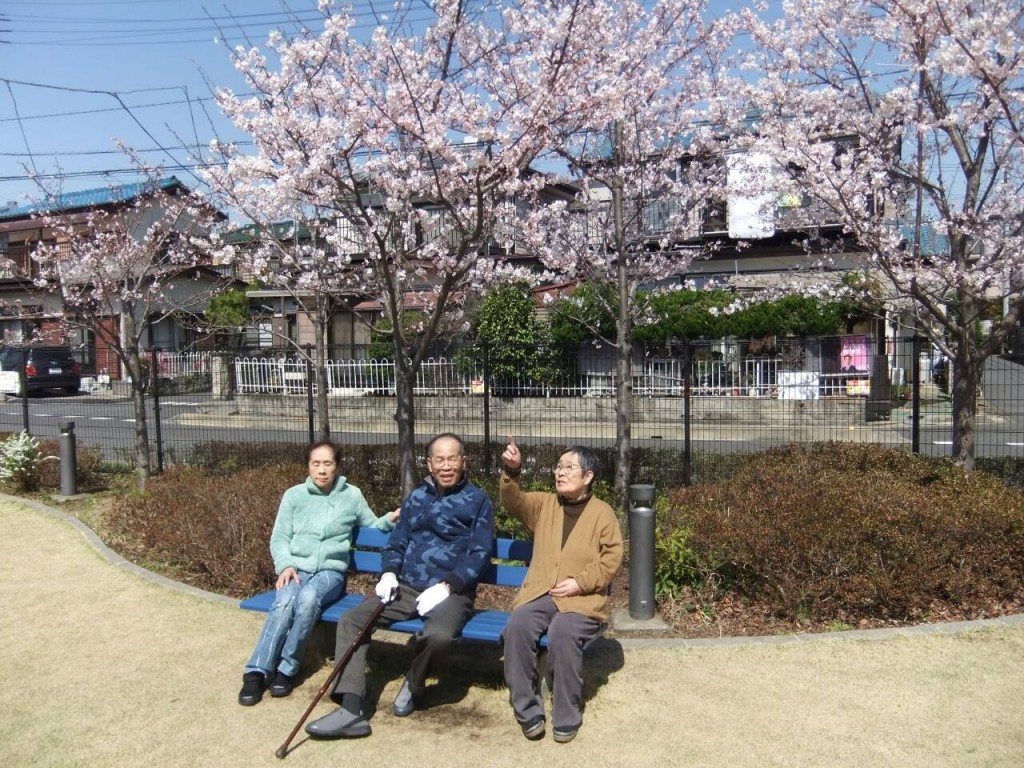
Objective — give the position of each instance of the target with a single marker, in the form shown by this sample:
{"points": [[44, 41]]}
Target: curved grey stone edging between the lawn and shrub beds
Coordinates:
{"points": [[1016, 620]]}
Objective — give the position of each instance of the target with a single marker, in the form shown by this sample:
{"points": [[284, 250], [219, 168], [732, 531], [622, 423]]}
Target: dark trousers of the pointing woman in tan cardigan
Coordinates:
{"points": [[568, 633]]}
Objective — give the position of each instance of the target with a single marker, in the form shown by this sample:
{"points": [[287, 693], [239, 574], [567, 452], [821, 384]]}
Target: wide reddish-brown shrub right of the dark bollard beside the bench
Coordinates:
{"points": [[834, 530]]}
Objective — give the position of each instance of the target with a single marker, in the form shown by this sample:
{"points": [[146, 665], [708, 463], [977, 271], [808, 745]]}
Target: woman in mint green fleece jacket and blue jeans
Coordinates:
{"points": [[311, 545]]}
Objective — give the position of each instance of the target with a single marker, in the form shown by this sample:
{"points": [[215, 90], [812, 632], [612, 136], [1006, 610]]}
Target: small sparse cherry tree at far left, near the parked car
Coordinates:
{"points": [[119, 272]]}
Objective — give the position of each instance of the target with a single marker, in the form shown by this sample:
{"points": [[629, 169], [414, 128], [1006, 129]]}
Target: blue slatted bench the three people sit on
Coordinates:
{"points": [[510, 560]]}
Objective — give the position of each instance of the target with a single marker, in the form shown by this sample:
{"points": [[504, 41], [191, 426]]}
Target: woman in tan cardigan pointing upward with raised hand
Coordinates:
{"points": [[578, 548]]}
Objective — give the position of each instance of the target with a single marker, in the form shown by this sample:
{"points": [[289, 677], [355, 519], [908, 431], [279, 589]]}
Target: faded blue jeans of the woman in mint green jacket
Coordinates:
{"points": [[294, 614]]}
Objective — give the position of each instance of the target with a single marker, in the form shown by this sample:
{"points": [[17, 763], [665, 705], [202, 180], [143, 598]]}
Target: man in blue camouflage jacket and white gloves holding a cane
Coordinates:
{"points": [[434, 561]]}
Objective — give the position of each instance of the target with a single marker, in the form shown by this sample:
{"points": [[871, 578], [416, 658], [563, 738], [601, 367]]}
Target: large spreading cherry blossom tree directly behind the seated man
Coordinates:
{"points": [[416, 141]]}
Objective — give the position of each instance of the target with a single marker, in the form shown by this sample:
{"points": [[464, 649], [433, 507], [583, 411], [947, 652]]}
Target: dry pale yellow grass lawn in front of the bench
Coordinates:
{"points": [[100, 667]]}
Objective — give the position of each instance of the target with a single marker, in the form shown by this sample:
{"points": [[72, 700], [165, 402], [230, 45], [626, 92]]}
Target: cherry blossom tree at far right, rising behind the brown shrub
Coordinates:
{"points": [[903, 121]]}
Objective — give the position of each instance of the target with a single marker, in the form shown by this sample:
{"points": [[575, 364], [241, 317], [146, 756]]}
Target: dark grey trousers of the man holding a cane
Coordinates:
{"points": [[441, 628]]}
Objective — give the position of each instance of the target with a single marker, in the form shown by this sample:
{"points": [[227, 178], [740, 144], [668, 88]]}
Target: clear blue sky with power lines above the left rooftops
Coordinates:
{"points": [[77, 75]]}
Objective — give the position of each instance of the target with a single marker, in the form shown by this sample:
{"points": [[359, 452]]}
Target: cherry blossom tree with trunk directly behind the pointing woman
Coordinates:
{"points": [[644, 156]]}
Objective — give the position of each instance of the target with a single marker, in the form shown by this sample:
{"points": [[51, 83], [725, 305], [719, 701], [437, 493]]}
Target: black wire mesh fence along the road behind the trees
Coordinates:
{"points": [[694, 406]]}
